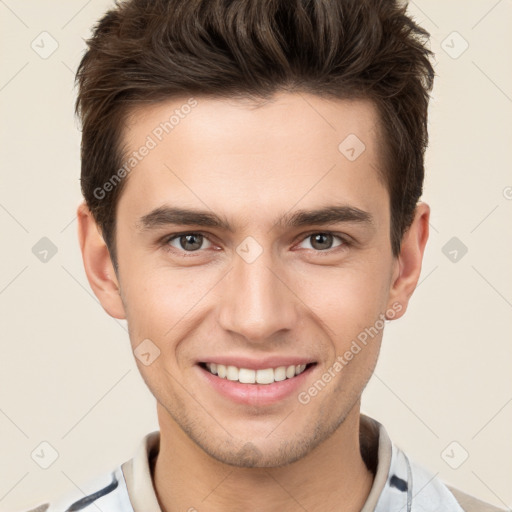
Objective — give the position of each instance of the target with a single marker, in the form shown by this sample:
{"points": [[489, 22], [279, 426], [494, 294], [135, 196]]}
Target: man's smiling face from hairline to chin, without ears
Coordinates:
{"points": [[267, 286]]}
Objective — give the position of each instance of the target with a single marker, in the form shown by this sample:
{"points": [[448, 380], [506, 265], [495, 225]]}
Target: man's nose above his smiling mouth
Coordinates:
{"points": [[257, 302]]}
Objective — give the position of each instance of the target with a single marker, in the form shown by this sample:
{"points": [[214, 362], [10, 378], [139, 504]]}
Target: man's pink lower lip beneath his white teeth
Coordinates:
{"points": [[256, 394]]}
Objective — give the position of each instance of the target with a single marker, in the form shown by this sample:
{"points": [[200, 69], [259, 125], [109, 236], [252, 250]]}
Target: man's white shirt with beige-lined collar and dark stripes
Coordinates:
{"points": [[400, 485]]}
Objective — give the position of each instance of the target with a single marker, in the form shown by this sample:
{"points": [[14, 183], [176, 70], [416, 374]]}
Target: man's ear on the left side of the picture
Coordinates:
{"points": [[97, 263]]}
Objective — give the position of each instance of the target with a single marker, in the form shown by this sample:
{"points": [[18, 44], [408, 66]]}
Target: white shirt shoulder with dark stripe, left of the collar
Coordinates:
{"points": [[107, 493]]}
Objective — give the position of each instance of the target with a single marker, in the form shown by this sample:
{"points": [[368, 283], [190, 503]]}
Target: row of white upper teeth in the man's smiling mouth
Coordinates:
{"points": [[260, 376]]}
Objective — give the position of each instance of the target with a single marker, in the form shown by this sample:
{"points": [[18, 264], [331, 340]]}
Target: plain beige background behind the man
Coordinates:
{"points": [[67, 374]]}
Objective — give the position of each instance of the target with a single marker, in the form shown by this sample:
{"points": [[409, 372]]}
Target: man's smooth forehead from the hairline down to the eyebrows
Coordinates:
{"points": [[235, 154]]}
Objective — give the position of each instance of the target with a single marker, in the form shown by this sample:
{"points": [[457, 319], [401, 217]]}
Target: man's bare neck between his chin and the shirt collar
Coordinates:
{"points": [[331, 477]]}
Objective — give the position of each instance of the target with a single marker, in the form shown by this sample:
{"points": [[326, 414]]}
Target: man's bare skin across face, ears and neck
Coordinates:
{"points": [[251, 166]]}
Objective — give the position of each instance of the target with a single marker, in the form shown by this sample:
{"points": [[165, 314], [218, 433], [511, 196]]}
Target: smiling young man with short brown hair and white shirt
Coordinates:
{"points": [[251, 173]]}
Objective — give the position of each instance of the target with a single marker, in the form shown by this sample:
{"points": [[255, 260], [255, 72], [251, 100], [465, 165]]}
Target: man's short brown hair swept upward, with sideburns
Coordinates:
{"points": [[154, 50]]}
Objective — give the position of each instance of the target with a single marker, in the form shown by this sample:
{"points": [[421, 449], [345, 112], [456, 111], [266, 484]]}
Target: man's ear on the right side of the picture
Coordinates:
{"points": [[408, 264]]}
